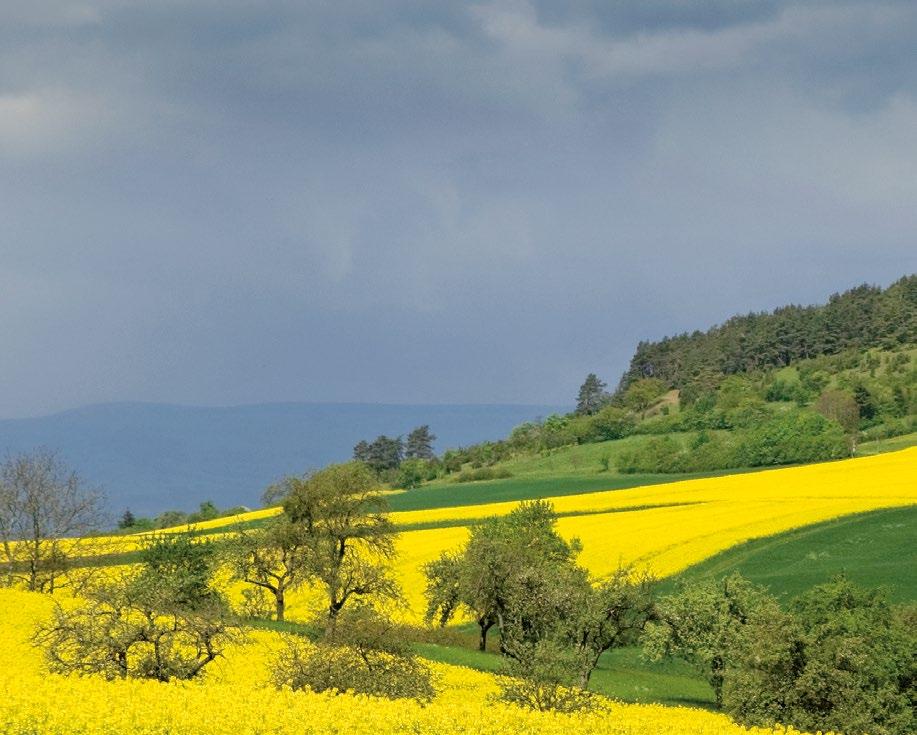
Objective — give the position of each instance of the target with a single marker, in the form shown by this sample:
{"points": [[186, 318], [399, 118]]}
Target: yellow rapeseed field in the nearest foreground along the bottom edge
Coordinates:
{"points": [[234, 699]]}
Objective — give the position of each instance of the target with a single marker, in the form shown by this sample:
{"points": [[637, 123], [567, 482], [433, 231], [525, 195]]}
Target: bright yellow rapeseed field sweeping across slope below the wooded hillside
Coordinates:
{"points": [[696, 518]]}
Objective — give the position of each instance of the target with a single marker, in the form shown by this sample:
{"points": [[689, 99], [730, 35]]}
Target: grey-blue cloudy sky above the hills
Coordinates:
{"points": [[224, 202]]}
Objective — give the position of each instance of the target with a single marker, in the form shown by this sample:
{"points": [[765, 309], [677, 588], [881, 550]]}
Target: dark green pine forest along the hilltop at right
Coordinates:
{"points": [[861, 318]]}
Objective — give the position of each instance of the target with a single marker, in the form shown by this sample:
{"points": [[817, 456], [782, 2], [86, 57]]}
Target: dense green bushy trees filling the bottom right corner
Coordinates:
{"points": [[840, 659]]}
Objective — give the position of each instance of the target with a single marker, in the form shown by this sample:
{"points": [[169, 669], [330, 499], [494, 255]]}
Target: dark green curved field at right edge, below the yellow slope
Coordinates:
{"points": [[877, 549]]}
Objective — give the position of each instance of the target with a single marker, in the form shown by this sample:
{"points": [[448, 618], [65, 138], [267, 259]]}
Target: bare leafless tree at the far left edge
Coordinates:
{"points": [[45, 509]]}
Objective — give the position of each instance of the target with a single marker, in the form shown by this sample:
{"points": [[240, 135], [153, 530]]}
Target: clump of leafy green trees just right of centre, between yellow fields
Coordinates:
{"points": [[518, 574]]}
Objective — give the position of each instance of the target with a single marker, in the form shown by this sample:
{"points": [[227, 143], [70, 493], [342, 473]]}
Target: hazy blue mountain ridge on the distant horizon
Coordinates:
{"points": [[150, 457]]}
